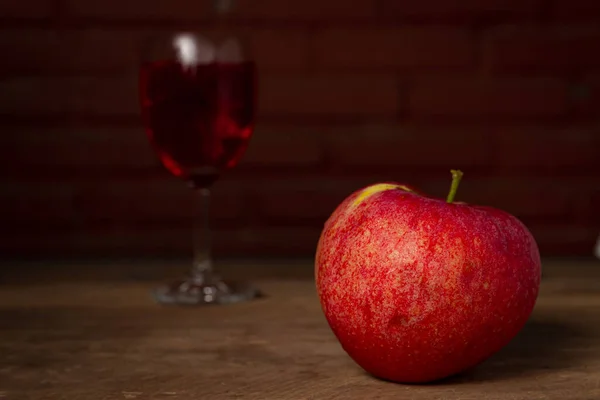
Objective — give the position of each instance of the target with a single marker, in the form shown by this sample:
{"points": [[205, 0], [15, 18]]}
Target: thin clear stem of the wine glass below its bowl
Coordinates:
{"points": [[202, 264]]}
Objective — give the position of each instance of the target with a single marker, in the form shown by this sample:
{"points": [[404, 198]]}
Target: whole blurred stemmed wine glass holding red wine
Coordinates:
{"points": [[197, 96]]}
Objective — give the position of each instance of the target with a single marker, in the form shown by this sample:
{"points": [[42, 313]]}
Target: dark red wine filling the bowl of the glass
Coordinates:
{"points": [[199, 118]]}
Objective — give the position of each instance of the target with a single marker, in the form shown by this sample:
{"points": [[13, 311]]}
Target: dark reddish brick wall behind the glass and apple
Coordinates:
{"points": [[351, 93]]}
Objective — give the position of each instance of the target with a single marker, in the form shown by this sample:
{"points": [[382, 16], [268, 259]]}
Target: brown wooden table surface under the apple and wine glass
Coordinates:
{"points": [[71, 337]]}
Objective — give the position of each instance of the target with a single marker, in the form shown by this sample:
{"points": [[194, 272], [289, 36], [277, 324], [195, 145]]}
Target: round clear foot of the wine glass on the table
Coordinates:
{"points": [[195, 291]]}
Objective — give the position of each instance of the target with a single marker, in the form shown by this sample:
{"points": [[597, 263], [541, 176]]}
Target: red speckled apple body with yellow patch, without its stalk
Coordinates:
{"points": [[417, 289]]}
